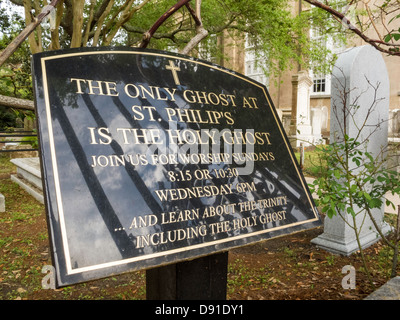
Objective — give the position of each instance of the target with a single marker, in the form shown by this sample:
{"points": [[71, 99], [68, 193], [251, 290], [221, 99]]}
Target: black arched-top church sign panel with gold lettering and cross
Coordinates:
{"points": [[150, 158]]}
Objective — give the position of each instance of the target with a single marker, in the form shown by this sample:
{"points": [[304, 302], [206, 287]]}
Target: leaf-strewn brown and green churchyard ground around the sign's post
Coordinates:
{"points": [[285, 268]]}
